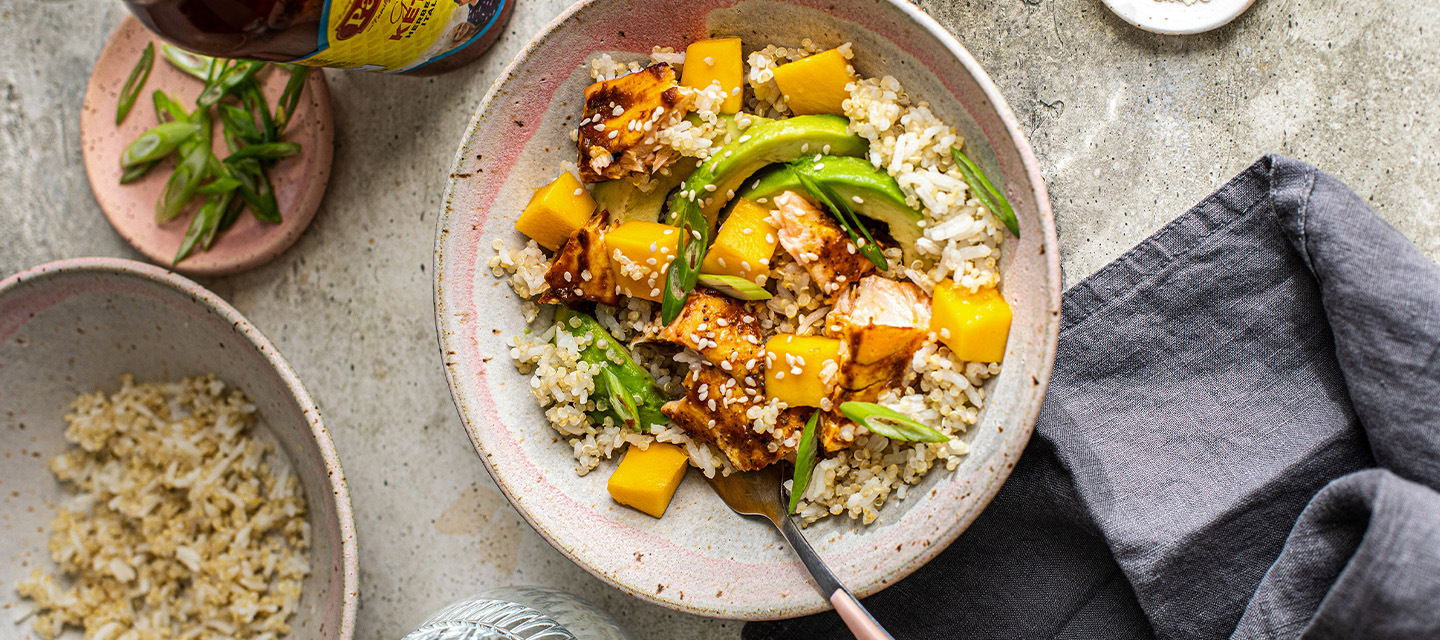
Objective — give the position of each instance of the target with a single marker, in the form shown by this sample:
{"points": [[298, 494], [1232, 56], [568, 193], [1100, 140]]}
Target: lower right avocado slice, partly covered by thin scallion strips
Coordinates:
{"points": [[850, 178]]}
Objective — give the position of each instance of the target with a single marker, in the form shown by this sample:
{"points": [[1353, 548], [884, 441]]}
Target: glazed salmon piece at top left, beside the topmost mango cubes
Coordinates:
{"points": [[621, 120]]}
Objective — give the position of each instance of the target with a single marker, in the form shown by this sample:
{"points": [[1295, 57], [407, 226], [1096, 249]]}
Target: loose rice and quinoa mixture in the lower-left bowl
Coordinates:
{"points": [[184, 525]]}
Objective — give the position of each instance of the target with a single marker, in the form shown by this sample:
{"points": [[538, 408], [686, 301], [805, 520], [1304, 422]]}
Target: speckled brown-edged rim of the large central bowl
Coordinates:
{"points": [[1052, 321]]}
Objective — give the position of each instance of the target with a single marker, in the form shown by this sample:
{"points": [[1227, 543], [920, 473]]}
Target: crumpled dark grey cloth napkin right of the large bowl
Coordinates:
{"points": [[1242, 439]]}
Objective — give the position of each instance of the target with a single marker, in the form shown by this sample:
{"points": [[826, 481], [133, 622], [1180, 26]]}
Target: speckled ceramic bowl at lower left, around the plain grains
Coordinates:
{"points": [[74, 328]]}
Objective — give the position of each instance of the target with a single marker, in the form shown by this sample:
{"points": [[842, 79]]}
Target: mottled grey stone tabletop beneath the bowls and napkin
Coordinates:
{"points": [[1130, 129]]}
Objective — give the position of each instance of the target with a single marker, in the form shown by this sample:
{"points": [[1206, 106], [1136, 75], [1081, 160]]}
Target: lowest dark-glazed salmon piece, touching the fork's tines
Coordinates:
{"points": [[716, 412]]}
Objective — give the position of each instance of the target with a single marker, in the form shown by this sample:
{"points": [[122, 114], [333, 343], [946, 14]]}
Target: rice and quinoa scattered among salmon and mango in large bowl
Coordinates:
{"points": [[961, 241]]}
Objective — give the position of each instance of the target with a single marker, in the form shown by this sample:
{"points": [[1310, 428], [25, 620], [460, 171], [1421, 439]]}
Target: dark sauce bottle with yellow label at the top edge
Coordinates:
{"points": [[398, 37]]}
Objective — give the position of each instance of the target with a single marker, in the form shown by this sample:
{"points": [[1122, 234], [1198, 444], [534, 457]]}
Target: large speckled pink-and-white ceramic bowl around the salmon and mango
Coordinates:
{"points": [[701, 557]]}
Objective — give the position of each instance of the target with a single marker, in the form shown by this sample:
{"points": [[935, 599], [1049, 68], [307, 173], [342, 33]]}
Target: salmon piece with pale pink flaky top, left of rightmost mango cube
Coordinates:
{"points": [[883, 324]]}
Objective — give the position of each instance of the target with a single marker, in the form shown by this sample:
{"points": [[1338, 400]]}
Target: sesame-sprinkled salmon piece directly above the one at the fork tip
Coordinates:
{"points": [[726, 332]]}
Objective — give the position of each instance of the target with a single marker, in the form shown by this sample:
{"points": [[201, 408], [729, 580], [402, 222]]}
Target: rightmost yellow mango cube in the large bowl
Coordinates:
{"points": [[974, 326]]}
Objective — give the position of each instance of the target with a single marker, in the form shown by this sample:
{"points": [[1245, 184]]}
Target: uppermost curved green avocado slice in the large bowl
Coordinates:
{"points": [[765, 143]]}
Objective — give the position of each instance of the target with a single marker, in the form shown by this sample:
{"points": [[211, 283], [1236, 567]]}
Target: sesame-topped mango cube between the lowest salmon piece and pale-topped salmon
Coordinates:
{"points": [[801, 371]]}
